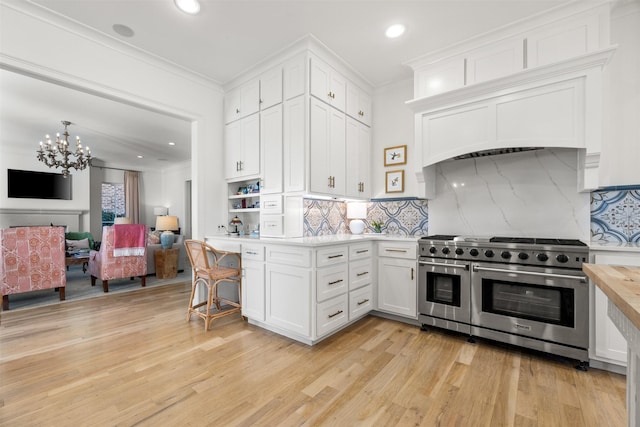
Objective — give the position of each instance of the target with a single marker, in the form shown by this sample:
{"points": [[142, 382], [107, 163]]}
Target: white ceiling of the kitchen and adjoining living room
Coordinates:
{"points": [[225, 39]]}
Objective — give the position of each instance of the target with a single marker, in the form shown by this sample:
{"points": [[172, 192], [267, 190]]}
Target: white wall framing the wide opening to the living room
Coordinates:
{"points": [[95, 63]]}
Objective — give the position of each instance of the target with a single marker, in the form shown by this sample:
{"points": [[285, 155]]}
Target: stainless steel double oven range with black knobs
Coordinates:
{"points": [[528, 292]]}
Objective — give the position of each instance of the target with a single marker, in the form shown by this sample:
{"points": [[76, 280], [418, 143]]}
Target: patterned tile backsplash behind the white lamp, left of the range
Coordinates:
{"points": [[399, 217]]}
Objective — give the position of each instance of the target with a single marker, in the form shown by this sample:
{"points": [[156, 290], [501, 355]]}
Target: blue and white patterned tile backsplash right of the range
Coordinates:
{"points": [[615, 215]]}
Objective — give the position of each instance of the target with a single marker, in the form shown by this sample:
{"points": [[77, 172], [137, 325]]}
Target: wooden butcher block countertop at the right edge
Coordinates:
{"points": [[621, 284]]}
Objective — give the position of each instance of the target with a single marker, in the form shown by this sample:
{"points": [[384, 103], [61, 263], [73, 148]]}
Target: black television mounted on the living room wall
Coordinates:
{"points": [[38, 185]]}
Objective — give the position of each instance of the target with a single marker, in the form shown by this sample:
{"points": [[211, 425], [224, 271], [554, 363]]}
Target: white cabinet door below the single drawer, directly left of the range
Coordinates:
{"points": [[397, 288]]}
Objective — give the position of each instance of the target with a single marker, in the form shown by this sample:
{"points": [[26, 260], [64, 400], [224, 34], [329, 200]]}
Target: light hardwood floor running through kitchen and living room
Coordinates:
{"points": [[132, 359]]}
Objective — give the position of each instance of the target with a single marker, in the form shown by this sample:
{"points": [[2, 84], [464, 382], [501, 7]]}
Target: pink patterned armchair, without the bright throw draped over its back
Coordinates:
{"points": [[105, 266]]}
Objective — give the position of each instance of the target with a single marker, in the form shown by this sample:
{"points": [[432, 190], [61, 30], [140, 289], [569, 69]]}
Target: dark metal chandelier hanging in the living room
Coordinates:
{"points": [[57, 155]]}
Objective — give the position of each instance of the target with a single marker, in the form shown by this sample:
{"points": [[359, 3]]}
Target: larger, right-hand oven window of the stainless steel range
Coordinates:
{"points": [[541, 303]]}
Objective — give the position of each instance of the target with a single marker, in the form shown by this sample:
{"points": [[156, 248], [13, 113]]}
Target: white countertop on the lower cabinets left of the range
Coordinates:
{"points": [[313, 241]]}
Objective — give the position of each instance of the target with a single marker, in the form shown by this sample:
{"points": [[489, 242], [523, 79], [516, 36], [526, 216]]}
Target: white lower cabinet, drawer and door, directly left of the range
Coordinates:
{"points": [[397, 288]]}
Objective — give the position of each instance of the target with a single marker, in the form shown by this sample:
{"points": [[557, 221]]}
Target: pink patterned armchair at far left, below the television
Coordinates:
{"points": [[31, 258]]}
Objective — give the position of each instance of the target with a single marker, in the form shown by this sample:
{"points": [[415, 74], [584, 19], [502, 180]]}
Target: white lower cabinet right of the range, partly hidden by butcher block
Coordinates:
{"points": [[608, 345]]}
